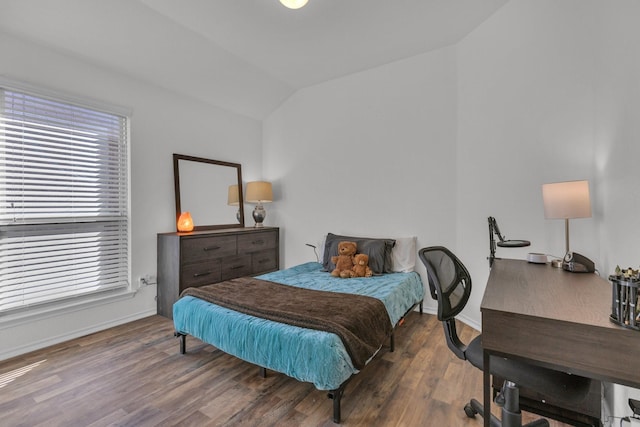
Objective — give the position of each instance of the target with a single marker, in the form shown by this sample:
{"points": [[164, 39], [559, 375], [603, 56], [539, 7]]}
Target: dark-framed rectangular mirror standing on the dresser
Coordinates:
{"points": [[202, 188]]}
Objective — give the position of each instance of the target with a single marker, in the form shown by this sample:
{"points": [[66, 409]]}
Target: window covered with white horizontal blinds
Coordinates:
{"points": [[63, 200]]}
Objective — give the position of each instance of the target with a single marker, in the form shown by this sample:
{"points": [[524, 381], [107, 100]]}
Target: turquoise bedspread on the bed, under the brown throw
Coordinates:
{"points": [[306, 355]]}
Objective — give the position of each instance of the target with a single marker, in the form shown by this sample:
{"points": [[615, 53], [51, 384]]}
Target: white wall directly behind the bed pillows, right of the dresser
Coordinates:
{"points": [[369, 154]]}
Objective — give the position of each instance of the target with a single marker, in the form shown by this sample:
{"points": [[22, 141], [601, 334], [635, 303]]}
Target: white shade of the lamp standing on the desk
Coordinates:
{"points": [[566, 200]]}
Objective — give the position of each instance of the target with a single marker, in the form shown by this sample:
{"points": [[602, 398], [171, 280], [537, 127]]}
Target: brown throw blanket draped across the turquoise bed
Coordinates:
{"points": [[361, 322]]}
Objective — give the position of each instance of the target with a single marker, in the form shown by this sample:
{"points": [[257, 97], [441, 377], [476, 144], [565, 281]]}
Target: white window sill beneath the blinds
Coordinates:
{"points": [[18, 317]]}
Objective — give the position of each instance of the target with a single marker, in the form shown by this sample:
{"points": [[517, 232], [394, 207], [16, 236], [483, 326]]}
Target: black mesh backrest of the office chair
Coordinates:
{"points": [[450, 285]]}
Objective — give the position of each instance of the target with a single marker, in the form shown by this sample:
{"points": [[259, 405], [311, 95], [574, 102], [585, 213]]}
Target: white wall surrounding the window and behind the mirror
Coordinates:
{"points": [[162, 123]]}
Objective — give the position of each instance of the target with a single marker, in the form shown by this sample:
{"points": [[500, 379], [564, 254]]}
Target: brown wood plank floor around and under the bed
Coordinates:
{"points": [[134, 375]]}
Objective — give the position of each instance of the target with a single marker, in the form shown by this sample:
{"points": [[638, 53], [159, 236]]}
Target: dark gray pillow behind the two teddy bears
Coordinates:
{"points": [[378, 250]]}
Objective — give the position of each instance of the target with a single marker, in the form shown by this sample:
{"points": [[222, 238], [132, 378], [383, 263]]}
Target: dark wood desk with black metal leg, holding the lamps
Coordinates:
{"points": [[556, 319]]}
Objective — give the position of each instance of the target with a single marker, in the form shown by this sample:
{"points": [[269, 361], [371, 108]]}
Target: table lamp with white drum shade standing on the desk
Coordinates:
{"points": [[568, 200]]}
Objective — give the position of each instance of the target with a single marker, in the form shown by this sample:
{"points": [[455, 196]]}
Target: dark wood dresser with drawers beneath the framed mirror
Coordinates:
{"points": [[204, 257]]}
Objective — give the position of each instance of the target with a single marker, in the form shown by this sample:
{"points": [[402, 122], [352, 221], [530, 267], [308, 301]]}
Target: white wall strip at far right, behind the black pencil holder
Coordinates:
{"points": [[618, 149]]}
